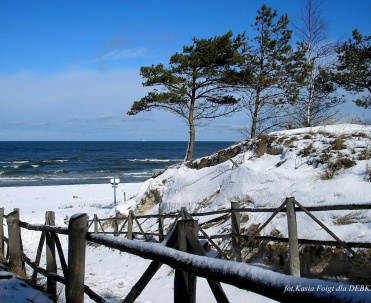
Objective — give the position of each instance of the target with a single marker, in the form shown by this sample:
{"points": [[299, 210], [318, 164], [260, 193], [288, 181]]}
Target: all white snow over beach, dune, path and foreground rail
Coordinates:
{"points": [[257, 182]]}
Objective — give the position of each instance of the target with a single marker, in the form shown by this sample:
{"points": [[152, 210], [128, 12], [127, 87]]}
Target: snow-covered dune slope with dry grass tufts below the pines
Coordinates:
{"points": [[267, 180]]}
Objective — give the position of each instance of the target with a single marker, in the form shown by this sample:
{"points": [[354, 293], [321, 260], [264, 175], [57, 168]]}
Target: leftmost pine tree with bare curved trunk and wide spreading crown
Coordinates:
{"points": [[193, 83]]}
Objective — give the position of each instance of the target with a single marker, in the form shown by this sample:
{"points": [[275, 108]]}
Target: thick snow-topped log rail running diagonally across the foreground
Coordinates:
{"points": [[241, 275]]}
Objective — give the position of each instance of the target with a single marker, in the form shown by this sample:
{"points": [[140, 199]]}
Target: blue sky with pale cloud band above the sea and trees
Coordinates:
{"points": [[69, 70]]}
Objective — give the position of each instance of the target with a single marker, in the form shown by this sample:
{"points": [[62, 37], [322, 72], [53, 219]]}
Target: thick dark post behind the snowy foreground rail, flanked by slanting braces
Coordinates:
{"points": [[185, 283]]}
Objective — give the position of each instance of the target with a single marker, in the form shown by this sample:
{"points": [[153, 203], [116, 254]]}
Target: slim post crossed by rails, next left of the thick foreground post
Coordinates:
{"points": [[51, 265]]}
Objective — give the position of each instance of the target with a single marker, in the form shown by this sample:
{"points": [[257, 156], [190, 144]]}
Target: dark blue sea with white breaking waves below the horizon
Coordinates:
{"points": [[58, 163]]}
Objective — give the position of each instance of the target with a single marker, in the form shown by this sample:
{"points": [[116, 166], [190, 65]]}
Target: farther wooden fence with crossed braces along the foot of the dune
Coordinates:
{"points": [[290, 206]]}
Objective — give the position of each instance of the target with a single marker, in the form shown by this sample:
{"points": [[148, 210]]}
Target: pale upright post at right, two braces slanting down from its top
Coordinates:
{"points": [[293, 238]]}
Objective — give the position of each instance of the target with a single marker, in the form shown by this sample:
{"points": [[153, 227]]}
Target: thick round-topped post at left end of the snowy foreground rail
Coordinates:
{"points": [[77, 230]]}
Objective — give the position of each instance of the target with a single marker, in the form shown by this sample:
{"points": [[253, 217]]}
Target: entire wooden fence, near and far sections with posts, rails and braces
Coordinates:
{"points": [[189, 262]]}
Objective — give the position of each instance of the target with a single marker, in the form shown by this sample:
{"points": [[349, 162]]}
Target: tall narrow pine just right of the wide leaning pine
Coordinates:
{"points": [[270, 72]]}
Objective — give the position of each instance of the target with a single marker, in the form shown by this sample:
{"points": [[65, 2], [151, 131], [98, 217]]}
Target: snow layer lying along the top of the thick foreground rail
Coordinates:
{"points": [[227, 269]]}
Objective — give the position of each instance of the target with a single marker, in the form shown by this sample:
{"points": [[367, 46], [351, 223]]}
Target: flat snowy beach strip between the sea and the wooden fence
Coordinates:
{"points": [[64, 200]]}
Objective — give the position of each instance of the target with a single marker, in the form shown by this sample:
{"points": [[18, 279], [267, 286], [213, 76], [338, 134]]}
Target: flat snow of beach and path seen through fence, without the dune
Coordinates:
{"points": [[108, 272]]}
